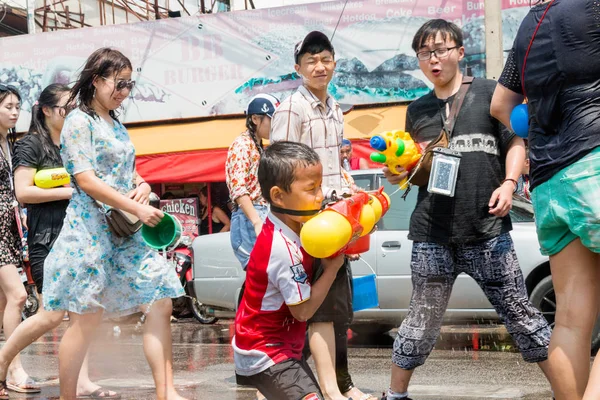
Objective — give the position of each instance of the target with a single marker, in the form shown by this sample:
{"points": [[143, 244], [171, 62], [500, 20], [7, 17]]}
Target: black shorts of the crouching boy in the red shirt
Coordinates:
{"points": [[289, 380]]}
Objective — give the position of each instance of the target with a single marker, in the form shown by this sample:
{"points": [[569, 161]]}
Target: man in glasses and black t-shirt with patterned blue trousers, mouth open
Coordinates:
{"points": [[468, 232]]}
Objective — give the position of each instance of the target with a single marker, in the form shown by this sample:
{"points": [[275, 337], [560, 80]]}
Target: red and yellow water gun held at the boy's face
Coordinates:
{"points": [[344, 226]]}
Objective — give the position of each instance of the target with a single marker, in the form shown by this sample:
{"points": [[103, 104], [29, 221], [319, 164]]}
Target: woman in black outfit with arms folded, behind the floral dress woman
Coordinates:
{"points": [[39, 150]]}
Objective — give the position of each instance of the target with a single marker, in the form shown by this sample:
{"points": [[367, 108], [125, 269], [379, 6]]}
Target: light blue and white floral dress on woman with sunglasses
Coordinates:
{"points": [[89, 268]]}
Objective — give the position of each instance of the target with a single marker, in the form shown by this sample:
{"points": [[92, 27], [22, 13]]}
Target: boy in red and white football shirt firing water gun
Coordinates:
{"points": [[270, 324]]}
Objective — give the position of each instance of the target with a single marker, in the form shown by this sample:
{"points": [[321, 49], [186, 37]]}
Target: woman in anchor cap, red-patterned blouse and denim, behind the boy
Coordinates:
{"points": [[241, 168]]}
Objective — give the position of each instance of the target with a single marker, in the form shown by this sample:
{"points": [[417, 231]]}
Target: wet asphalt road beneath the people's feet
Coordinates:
{"points": [[204, 364]]}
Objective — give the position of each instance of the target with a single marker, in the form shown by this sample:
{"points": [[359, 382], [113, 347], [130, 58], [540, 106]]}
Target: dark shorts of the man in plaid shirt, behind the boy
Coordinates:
{"points": [[337, 306]]}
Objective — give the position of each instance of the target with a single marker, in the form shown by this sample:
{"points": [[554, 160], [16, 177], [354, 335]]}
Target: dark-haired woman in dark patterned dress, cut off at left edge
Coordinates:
{"points": [[12, 292]]}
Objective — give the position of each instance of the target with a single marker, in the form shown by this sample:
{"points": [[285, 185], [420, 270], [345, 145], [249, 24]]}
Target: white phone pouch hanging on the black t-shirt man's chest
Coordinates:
{"points": [[444, 171]]}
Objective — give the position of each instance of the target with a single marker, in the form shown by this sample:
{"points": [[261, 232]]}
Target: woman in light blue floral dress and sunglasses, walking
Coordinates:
{"points": [[90, 271]]}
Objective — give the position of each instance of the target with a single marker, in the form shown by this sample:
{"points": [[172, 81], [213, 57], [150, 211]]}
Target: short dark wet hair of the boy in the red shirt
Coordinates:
{"points": [[278, 165]]}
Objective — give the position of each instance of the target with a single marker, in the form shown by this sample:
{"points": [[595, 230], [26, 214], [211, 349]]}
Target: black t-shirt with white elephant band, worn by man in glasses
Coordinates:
{"points": [[482, 142]]}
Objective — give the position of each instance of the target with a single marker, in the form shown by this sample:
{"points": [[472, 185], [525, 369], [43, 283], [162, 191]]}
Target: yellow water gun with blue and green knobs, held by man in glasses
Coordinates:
{"points": [[395, 149]]}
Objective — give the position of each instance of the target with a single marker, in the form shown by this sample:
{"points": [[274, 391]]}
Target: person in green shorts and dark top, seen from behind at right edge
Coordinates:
{"points": [[554, 63]]}
